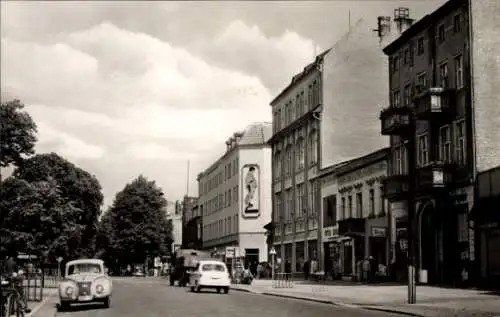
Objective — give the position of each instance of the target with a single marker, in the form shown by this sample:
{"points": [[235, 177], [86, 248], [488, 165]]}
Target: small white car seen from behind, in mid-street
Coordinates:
{"points": [[210, 274]]}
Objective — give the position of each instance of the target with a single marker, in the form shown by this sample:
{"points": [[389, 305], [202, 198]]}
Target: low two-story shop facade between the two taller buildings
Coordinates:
{"points": [[355, 216]]}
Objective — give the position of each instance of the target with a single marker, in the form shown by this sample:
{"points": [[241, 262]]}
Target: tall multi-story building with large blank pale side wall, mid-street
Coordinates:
{"points": [[324, 117]]}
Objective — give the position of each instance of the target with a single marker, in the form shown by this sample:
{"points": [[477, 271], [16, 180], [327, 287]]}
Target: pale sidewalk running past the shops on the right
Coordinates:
{"points": [[431, 301]]}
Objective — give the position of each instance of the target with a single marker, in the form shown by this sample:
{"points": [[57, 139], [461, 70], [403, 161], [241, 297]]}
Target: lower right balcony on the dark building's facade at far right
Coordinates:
{"points": [[434, 176]]}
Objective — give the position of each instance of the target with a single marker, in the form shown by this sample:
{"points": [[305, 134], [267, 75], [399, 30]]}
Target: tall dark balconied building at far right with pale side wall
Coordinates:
{"points": [[442, 100]]}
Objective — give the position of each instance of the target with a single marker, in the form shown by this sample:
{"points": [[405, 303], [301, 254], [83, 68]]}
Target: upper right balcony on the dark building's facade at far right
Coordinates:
{"points": [[434, 103]]}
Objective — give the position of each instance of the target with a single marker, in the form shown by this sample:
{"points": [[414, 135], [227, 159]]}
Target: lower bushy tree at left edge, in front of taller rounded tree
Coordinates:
{"points": [[35, 216]]}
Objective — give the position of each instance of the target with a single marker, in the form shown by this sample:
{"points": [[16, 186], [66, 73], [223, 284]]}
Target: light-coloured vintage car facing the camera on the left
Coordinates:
{"points": [[85, 281]]}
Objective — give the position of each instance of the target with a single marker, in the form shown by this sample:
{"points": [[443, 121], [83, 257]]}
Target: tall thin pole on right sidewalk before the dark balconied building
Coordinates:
{"points": [[412, 288]]}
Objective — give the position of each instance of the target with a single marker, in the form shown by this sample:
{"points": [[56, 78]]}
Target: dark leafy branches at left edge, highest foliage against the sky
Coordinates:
{"points": [[18, 133]]}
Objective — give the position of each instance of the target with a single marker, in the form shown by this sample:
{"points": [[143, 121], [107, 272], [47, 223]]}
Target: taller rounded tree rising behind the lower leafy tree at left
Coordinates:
{"points": [[80, 195]]}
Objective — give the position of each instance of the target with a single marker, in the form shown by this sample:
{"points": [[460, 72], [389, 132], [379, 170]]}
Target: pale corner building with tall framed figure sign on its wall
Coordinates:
{"points": [[235, 200]]}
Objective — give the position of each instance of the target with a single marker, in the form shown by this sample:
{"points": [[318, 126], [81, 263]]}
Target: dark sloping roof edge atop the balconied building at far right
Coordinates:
{"points": [[422, 24]]}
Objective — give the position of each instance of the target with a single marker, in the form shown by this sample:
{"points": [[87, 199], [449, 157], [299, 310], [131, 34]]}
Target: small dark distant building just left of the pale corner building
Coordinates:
{"points": [[191, 231]]}
